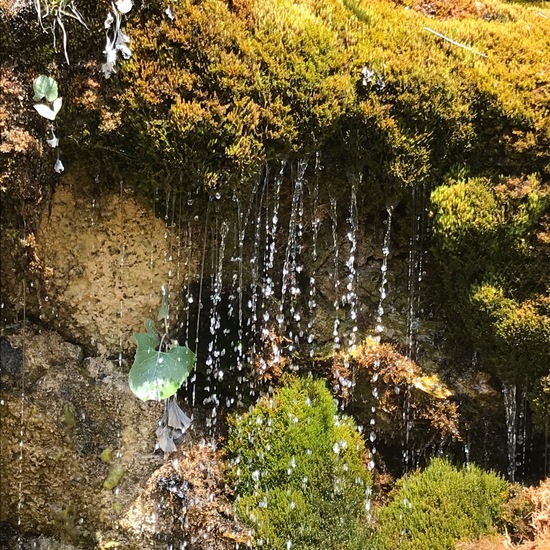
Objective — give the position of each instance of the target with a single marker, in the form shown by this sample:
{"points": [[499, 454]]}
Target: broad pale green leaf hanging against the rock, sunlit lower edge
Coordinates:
{"points": [[157, 375]]}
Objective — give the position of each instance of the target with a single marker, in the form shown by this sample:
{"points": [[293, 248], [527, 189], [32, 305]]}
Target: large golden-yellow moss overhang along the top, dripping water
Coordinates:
{"points": [[218, 88]]}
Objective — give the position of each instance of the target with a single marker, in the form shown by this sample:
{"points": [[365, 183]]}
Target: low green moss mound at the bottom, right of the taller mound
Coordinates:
{"points": [[440, 506]]}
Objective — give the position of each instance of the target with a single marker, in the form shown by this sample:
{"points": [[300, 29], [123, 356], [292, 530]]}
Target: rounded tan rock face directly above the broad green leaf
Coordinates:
{"points": [[102, 260]]}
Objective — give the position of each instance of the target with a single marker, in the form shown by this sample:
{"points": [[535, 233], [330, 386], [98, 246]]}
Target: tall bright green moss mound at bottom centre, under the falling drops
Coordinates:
{"points": [[297, 469]]}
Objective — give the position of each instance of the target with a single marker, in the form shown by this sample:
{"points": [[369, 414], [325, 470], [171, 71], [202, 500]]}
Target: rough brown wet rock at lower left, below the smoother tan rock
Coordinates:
{"points": [[71, 410]]}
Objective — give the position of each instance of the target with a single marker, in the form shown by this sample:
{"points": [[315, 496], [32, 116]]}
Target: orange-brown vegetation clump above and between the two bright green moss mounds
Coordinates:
{"points": [[376, 375]]}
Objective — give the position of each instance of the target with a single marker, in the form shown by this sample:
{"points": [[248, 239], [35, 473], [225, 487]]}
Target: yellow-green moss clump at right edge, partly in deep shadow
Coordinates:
{"points": [[492, 253]]}
